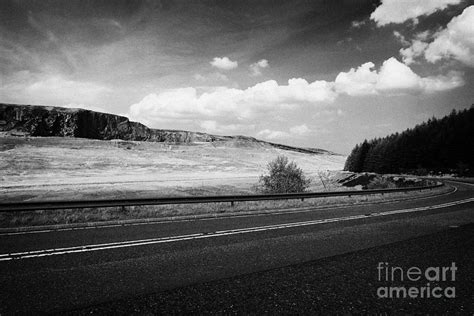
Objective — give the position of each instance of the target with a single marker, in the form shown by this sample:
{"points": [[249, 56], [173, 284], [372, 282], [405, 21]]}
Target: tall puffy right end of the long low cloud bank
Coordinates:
{"points": [[393, 78]]}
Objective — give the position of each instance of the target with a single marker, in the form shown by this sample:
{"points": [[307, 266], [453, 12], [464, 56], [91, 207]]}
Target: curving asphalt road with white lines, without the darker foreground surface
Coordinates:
{"points": [[62, 270]]}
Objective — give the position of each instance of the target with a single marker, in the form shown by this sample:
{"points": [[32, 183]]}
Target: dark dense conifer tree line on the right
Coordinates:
{"points": [[440, 145]]}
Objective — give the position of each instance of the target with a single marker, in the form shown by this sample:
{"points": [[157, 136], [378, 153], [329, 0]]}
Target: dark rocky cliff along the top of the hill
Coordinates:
{"points": [[34, 120]]}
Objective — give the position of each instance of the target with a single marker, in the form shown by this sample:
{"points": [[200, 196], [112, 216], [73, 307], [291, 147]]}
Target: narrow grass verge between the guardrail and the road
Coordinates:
{"points": [[88, 215]]}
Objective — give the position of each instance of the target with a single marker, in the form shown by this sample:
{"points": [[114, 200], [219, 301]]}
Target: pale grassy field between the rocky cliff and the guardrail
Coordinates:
{"points": [[50, 168]]}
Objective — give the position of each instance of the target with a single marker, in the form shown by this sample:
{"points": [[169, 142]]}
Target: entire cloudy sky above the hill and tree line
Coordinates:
{"points": [[325, 73]]}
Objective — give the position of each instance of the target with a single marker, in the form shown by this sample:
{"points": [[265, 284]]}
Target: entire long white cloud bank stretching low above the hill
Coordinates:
{"points": [[230, 110]]}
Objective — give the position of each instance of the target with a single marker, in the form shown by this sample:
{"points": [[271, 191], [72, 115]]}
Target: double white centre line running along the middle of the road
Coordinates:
{"points": [[142, 242]]}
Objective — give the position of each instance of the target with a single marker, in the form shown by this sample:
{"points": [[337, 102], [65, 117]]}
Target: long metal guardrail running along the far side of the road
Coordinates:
{"points": [[55, 205]]}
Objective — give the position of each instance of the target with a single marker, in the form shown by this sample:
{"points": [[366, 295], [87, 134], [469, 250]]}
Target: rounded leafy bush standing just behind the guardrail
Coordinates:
{"points": [[283, 177]]}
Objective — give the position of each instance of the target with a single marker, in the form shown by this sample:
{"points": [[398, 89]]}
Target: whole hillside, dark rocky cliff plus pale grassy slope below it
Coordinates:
{"points": [[84, 154]]}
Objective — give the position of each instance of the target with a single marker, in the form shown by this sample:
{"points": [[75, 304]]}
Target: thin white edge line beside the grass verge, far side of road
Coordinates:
{"points": [[302, 210]]}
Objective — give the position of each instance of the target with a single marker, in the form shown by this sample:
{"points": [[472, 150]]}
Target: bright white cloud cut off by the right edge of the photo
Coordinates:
{"points": [[456, 41]]}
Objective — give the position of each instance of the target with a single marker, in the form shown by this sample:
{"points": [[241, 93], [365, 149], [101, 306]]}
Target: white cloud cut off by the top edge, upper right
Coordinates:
{"points": [[400, 11]]}
